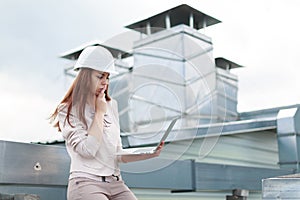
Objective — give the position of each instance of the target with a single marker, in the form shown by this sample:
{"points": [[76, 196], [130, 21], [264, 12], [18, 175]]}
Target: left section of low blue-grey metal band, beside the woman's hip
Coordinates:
{"points": [[176, 175]]}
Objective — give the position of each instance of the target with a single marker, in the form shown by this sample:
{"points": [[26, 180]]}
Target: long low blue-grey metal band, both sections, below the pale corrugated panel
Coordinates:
{"points": [[189, 175]]}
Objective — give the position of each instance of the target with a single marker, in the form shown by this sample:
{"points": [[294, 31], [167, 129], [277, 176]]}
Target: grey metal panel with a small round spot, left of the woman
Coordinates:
{"points": [[33, 164]]}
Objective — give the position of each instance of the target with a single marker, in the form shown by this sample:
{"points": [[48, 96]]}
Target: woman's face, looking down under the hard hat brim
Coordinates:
{"points": [[99, 81]]}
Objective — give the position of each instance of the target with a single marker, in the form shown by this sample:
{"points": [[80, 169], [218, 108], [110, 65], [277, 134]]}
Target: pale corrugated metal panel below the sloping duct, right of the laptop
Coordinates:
{"points": [[255, 149]]}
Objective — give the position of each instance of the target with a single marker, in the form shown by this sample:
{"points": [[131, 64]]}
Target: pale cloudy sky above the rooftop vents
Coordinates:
{"points": [[261, 35]]}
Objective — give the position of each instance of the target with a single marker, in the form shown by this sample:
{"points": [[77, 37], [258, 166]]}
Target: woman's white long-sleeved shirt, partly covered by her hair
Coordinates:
{"points": [[87, 154]]}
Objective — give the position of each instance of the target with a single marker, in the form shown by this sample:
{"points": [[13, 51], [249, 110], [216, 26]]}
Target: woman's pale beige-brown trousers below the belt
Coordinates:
{"points": [[88, 189]]}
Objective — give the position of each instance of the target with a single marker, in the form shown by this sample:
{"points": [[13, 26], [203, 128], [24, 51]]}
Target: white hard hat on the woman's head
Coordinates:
{"points": [[97, 58]]}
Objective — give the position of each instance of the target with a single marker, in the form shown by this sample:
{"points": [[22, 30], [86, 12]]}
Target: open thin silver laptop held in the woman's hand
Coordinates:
{"points": [[148, 150]]}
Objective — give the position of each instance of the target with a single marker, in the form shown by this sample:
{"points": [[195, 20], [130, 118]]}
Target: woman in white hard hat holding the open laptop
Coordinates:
{"points": [[88, 119]]}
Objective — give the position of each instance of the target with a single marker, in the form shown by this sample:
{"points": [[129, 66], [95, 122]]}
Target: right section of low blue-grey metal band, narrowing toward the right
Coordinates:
{"points": [[222, 177]]}
